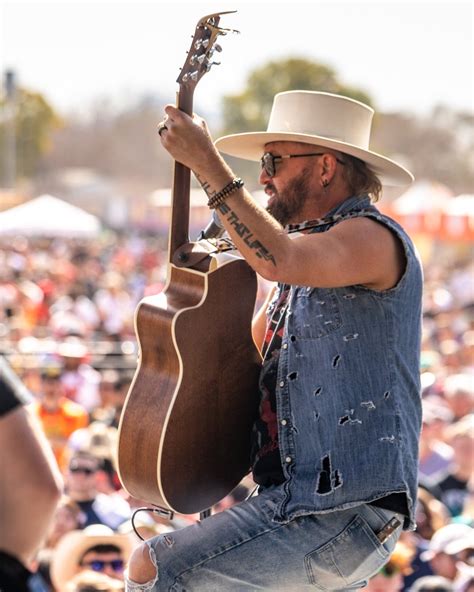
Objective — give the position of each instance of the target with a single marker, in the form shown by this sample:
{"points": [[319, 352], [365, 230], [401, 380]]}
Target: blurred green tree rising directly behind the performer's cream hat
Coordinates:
{"points": [[250, 110]]}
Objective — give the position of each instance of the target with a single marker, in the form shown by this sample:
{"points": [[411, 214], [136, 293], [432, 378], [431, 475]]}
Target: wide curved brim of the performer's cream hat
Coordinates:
{"points": [[251, 146]]}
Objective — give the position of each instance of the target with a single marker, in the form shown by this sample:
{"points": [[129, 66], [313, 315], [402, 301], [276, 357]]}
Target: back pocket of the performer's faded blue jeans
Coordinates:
{"points": [[347, 560]]}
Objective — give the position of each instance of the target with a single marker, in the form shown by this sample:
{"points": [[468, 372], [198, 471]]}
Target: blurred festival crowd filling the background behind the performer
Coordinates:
{"points": [[66, 327]]}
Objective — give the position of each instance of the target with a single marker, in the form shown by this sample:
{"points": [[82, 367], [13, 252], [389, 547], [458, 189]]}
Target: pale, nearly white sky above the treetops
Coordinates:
{"points": [[408, 56]]}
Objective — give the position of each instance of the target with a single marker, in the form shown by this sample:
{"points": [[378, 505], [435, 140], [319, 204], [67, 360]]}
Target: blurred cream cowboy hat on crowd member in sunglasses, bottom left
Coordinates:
{"points": [[73, 545]]}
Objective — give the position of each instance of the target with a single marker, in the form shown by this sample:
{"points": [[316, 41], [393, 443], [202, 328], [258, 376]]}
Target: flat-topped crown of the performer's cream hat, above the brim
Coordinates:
{"points": [[322, 114]]}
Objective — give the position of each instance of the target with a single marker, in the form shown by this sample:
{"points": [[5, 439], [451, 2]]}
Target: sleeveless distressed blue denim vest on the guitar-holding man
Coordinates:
{"points": [[348, 389]]}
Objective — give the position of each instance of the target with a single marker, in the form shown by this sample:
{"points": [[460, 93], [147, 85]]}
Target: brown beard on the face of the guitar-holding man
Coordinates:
{"points": [[286, 207]]}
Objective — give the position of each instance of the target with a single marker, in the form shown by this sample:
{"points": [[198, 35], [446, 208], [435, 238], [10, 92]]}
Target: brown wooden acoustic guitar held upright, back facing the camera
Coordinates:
{"points": [[184, 434]]}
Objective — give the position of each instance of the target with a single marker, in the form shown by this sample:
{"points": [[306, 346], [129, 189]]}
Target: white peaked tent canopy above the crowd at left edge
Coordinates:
{"points": [[48, 216]]}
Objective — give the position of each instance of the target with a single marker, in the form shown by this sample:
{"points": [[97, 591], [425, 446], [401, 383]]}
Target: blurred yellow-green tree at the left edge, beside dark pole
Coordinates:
{"points": [[34, 121]]}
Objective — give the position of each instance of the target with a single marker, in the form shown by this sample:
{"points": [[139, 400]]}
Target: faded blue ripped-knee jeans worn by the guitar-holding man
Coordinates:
{"points": [[244, 549]]}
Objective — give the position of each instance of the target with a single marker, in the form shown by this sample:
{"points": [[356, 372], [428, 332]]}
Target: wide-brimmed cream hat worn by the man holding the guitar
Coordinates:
{"points": [[322, 119]]}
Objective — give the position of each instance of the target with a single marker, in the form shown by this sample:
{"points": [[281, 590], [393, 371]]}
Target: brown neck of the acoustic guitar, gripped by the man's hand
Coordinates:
{"points": [[179, 230]]}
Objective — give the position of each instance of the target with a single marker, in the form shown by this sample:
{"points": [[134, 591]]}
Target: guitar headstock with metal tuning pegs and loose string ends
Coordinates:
{"points": [[203, 46]]}
